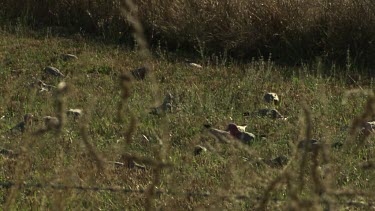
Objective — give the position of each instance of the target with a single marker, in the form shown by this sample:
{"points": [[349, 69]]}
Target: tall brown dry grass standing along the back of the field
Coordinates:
{"points": [[290, 30]]}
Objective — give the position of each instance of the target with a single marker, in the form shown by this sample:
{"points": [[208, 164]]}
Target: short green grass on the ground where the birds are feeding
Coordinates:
{"points": [[216, 94]]}
